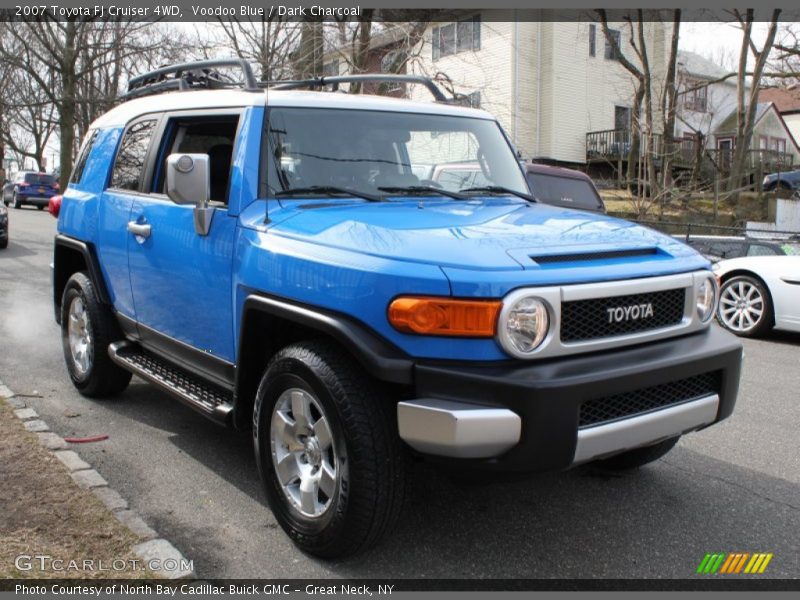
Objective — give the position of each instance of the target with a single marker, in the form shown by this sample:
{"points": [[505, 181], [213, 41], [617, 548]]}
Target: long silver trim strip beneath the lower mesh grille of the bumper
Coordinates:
{"points": [[605, 440]]}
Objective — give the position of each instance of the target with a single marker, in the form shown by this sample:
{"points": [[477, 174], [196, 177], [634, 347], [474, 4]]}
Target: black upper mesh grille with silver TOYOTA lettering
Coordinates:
{"points": [[583, 320]]}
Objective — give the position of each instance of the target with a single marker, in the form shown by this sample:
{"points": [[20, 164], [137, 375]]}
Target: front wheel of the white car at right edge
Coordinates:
{"points": [[727, 315]]}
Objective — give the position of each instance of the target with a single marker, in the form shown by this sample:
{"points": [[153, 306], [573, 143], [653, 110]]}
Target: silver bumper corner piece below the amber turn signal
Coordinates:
{"points": [[457, 429]]}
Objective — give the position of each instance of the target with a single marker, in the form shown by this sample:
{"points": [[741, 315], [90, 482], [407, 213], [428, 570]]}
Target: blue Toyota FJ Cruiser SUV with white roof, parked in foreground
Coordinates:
{"points": [[282, 260]]}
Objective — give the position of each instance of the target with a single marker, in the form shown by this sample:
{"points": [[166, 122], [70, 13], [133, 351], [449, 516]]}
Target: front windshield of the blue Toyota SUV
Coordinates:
{"points": [[368, 151]]}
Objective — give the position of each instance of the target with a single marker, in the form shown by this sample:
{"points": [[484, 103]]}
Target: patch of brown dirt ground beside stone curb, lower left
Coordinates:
{"points": [[44, 513]]}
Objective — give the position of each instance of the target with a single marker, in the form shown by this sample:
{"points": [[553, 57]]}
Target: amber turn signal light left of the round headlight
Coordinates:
{"points": [[444, 316]]}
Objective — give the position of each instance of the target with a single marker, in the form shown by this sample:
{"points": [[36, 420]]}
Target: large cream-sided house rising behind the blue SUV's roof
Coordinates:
{"points": [[548, 82]]}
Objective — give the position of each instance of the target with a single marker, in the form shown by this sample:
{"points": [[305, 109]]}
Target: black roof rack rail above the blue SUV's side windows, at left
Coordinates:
{"points": [[199, 74]]}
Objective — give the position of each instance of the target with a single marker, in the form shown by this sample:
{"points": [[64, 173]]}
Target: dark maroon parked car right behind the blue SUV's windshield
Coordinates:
{"points": [[563, 187]]}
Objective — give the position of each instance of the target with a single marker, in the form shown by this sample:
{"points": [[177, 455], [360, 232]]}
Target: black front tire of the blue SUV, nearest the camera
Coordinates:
{"points": [[370, 460]]}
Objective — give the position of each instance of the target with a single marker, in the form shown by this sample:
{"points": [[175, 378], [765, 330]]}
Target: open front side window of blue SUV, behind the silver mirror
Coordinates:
{"points": [[213, 135]]}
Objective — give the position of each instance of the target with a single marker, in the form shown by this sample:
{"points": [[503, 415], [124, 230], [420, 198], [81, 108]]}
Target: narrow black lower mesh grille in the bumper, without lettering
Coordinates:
{"points": [[622, 406]]}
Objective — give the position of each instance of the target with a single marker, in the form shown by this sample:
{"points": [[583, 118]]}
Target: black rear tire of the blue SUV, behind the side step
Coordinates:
{"points": [[98, 376]]}
